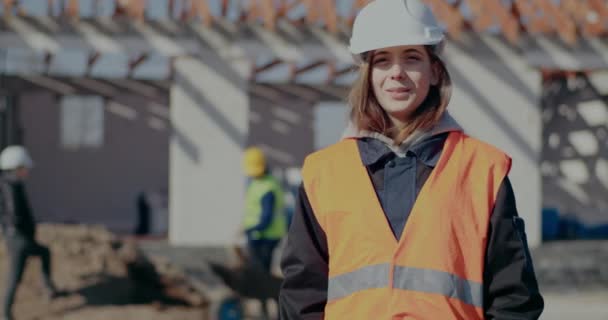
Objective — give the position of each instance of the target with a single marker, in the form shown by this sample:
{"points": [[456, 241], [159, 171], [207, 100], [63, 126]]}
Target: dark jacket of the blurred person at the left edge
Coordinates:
{"points": [[15, 212]]}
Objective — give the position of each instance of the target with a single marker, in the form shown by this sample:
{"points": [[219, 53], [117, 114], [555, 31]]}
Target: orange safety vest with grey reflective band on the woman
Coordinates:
{"points": [[435, 270]]}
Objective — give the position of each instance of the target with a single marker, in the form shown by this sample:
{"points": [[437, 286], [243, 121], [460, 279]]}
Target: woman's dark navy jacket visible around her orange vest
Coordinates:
{"points": [[510, 287]]}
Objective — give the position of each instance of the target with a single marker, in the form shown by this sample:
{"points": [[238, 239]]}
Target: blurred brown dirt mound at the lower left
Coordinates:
{"points": [[104, 277]]}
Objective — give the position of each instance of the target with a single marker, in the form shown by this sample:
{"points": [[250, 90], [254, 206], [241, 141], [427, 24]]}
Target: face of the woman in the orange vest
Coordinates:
{"points": [[401, 78]]}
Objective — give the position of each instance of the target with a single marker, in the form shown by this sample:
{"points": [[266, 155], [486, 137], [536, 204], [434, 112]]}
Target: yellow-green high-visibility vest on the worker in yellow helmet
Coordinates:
{"points": [[253, 208]]}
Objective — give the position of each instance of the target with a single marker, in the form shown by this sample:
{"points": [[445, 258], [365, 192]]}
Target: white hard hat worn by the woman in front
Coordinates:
{"points": [[390, 23]]}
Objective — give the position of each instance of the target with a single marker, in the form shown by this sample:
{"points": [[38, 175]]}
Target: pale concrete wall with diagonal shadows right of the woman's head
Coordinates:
{"points": [[496, 97]]}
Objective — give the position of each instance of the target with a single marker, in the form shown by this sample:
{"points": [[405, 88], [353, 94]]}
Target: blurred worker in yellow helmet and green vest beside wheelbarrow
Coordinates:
{"points": [[264, 222]]}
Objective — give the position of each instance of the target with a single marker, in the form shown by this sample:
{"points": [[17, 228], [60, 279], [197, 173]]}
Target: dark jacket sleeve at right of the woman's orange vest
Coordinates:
{"points": [[510, 286]]}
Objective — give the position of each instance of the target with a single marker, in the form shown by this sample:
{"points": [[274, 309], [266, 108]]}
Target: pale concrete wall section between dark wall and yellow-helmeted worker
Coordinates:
{"points": [[209, 112]]}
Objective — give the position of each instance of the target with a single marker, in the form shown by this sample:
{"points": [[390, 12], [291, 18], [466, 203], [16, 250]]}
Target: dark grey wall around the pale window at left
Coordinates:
{"points": [[96, 185]]}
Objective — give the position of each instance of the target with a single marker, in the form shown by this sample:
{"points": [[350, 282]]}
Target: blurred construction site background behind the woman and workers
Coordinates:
{"points": [[131, 104]]}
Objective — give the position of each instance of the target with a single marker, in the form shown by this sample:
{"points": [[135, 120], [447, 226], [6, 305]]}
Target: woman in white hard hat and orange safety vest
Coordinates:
{"points": [[407, 217]]}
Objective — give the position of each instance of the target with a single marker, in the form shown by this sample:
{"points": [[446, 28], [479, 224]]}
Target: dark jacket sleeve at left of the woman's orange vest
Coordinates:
{"points": [[305, 266]]}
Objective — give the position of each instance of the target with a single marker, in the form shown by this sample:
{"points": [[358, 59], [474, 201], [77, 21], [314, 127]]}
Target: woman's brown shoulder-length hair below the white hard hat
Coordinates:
{"points": [[367, 114]]}
